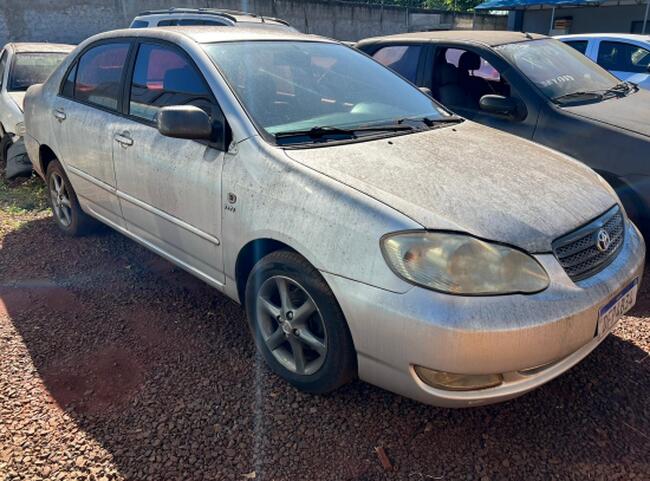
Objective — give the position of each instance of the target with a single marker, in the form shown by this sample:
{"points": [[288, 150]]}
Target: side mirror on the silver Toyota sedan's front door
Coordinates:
{"points": [[184, 122]]}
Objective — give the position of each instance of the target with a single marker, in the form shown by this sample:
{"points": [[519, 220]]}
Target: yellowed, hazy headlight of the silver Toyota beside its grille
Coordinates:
{"points": [[462, 264]]}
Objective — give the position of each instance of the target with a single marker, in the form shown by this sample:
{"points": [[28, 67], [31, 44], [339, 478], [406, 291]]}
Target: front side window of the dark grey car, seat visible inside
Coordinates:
{"points": [[461, 77]]}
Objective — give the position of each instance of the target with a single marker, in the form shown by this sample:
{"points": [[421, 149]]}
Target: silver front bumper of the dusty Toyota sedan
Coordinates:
{"points": [[481, 335]]}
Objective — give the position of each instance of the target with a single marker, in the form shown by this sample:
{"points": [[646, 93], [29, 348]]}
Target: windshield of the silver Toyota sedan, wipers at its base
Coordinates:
{"points": [[287, 86]]}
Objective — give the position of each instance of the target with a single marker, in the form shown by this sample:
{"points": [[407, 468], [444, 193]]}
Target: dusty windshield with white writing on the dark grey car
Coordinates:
{"points": [[557, 69]]}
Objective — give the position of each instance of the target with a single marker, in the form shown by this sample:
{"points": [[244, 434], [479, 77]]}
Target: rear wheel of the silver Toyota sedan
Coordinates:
{"points": [[67, 213]]}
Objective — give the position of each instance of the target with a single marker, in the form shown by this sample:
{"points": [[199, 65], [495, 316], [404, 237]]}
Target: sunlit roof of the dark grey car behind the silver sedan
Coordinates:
{"points": [[487, 37]]}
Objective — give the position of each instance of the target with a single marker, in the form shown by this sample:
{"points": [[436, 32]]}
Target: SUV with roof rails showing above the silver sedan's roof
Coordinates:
{"points": [[205, 16]]}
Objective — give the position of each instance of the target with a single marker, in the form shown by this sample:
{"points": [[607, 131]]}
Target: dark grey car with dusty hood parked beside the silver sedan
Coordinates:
{"points": [[540, 89]]}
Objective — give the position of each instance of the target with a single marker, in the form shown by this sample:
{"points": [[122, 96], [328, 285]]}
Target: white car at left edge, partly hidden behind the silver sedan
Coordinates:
{"points": [[22, 65]]}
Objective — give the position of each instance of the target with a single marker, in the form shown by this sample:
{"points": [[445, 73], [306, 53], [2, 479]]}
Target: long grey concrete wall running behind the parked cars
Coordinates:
{"points": [[72, 21]]}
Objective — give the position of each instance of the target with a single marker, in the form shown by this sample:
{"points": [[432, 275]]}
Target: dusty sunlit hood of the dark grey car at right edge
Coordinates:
{"points": [[630, 113]]}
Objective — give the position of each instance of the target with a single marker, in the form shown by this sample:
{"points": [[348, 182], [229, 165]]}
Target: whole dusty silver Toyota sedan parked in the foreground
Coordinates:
{"points": [[367, 231]]}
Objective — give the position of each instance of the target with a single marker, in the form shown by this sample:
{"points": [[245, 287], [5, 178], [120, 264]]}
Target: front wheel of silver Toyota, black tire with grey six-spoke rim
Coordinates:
{"points": [[318, 330]]}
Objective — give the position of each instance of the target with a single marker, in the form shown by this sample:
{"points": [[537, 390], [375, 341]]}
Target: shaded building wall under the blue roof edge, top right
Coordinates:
{"points": [[586, 20]]}
